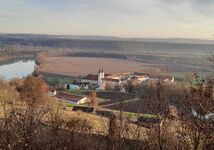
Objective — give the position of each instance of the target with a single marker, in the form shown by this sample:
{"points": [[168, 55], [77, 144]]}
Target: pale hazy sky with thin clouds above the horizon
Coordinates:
{"points": [[124, 18]]}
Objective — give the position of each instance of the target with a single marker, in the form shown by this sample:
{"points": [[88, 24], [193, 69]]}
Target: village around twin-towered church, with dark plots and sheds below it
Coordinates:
{"points": [[109, 88]]}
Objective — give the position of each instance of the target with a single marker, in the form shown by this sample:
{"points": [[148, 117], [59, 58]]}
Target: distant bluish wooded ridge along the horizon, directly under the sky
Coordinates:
{"points": [[99, 43]]}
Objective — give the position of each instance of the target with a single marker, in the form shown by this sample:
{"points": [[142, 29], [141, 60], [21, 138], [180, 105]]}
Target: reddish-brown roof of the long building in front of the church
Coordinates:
{"points": [[69, 97]]}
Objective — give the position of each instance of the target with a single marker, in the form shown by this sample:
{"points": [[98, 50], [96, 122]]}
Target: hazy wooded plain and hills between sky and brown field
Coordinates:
{"points": [[175, 54]]}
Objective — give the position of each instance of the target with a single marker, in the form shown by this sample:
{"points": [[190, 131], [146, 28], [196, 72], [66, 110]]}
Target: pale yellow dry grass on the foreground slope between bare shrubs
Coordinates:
{"points": [[99, 124]]}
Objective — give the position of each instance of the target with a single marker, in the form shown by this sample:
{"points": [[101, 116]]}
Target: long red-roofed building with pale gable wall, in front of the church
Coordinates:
{"points": [[73, 98]]}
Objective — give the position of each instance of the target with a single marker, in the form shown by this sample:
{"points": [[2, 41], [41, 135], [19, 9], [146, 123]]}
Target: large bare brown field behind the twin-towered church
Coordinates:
{"points": [[76, 66]]}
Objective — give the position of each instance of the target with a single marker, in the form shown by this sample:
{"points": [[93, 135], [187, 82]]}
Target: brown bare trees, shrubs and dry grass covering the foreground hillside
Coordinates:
{"points": [[29, 119]]}
